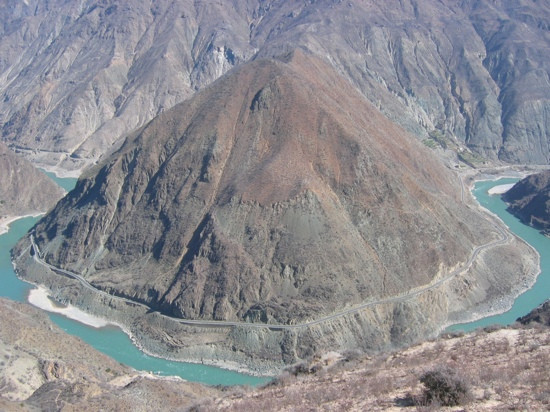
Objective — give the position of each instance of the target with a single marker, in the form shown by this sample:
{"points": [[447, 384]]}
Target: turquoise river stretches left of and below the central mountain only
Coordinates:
{"points": [[110, 340]]}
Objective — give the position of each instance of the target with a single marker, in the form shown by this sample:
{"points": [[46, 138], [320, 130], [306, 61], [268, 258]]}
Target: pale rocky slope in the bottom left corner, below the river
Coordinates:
{"points": [[43, 368]]}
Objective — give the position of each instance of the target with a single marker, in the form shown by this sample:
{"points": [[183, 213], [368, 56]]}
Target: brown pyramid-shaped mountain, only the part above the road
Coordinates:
{"points": [[277, 191]]}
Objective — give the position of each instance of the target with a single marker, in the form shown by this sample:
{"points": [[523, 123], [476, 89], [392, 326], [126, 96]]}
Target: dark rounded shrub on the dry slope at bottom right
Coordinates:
{"points": [[444, 387]]}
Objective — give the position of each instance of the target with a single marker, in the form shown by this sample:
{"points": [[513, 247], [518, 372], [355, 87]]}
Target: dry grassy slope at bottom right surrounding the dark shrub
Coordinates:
{"points": [[505, 369]]}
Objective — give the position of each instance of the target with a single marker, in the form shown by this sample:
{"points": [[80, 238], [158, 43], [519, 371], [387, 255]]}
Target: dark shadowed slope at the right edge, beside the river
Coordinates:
{"points": [[529, 199]]}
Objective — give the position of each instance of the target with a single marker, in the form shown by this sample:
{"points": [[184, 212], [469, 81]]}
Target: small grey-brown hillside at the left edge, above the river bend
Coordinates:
{"points": [[23, 189]]}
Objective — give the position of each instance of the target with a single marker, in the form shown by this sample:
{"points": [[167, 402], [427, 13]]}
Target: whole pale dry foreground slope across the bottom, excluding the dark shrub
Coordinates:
{"points": [[45, 369]]}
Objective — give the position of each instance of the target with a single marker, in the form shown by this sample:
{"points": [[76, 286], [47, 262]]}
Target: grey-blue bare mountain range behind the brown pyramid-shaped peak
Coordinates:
{"points": [[76, 77]]}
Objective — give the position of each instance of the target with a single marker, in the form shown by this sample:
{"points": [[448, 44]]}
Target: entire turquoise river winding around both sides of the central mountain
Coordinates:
{"points": [[115, 343]]}
